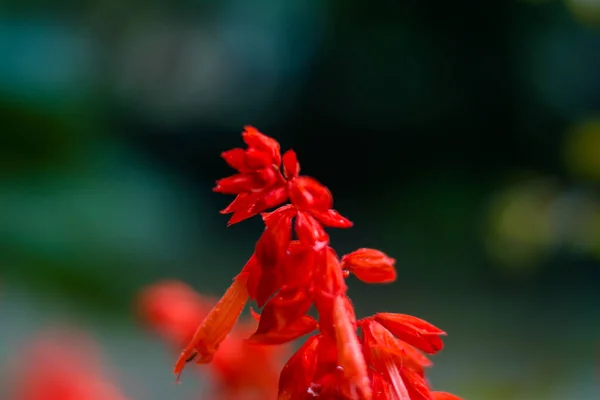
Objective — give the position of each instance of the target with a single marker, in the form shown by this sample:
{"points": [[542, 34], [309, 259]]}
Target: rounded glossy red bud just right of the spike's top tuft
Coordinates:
{"points": [[308, 194]]}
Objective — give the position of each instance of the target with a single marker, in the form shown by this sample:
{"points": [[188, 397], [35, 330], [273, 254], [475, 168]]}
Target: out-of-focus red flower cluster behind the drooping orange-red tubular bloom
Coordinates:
{"points": [[174, 310]]}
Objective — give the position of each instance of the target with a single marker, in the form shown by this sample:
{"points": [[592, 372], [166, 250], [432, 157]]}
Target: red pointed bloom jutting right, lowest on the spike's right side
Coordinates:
{"points": [[415, 331]]}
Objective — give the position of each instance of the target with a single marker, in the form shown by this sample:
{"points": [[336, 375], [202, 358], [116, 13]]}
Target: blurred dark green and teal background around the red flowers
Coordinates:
{"points": [[461, 137]]}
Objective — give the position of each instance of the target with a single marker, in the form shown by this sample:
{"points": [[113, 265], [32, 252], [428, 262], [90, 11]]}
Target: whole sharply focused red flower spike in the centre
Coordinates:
{"points": [[294, 269]]}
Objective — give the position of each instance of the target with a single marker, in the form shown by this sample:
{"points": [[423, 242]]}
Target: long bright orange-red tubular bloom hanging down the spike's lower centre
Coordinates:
{"points": [[350, 355]]}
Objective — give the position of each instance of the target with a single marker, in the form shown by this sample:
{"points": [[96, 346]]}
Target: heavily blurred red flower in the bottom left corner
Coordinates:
{"points": [[62, 365]]}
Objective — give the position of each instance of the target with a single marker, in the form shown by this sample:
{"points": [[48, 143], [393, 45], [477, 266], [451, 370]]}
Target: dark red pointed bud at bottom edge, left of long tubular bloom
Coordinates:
{"points": [[297, 374]]}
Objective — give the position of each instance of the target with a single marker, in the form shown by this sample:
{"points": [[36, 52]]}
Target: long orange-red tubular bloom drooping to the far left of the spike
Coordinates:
{"points": [[216, 326]]}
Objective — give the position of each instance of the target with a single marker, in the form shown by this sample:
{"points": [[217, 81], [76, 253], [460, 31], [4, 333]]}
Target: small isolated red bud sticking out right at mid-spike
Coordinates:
{"points": [[370, 266]]}
